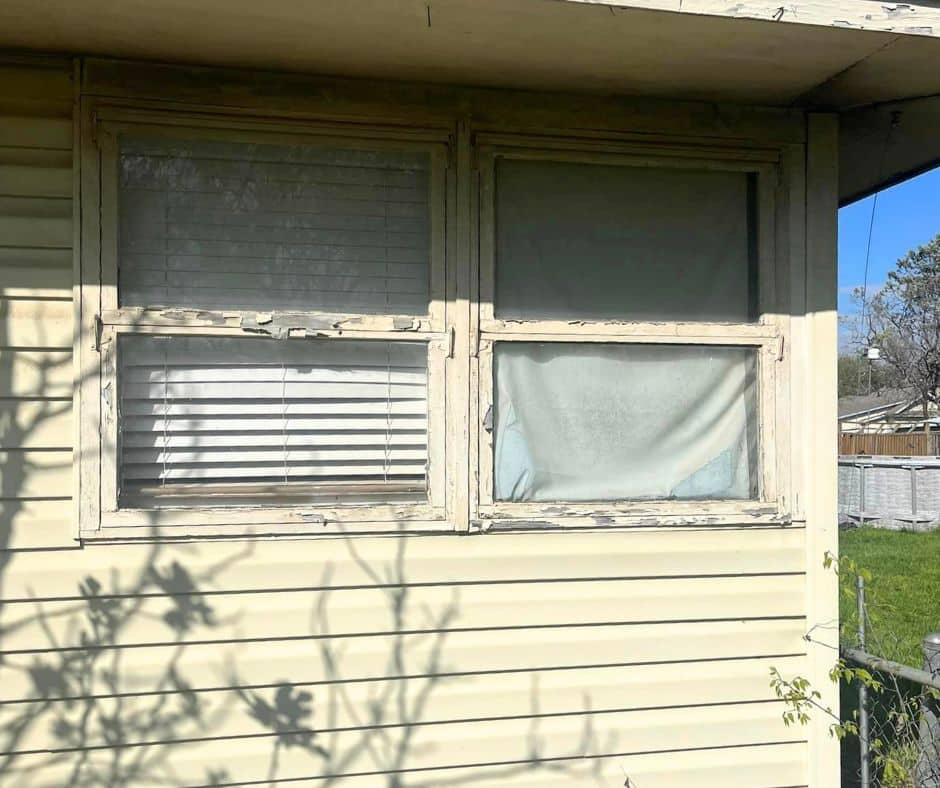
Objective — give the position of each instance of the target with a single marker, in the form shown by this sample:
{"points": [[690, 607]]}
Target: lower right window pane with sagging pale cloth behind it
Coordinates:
{"points": [[580, 421]]}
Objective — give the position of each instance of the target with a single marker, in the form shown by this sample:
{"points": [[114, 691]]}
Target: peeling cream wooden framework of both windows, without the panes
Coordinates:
{"points": [[460, 328]]}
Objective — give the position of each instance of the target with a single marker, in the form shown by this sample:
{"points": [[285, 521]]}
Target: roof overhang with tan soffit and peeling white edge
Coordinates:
{"points": [[859, 57]]}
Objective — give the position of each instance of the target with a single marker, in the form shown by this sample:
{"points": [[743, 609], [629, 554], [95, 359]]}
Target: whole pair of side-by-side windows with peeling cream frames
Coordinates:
{"points": [[290, 337]]}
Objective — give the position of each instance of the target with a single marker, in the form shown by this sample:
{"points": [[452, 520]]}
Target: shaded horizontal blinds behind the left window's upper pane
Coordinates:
{"points": [[225, 225]]}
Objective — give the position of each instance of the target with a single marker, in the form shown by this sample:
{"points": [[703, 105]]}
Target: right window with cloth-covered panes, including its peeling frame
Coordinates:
{"points": [[629, 342]]}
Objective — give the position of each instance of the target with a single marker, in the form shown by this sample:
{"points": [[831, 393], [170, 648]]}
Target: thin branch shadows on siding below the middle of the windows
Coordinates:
{"points": [[371, 725]]}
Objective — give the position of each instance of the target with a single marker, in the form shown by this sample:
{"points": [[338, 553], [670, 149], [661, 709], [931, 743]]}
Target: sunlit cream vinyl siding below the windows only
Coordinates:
{"points": [[609, 644]]}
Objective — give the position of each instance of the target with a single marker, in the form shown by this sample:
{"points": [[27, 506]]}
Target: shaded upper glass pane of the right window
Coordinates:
{"points": [[590, 242]]}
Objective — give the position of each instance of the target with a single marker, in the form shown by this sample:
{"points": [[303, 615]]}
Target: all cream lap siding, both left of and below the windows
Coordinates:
{"points": [[532, 660]]}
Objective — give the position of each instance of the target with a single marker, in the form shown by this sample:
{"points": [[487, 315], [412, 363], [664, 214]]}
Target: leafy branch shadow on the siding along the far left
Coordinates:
{"points": [[71, 713]]}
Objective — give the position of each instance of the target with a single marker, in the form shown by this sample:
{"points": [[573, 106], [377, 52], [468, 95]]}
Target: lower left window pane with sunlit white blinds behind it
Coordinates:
{"points": [[217, 420]]}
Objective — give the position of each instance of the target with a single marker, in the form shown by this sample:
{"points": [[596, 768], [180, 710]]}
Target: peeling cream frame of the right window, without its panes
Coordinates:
{"points": [[766, 333]]}
